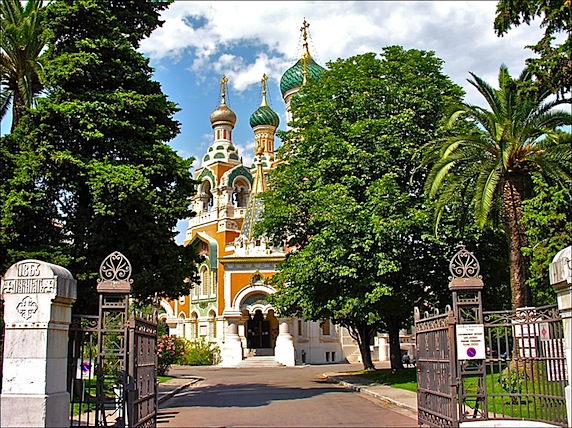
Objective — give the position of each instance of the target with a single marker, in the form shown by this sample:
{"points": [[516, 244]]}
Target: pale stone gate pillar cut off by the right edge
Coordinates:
{"points": [[561, 281]]}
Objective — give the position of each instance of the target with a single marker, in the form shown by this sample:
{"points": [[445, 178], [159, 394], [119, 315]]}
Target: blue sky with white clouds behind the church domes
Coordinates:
{"points": [[201, 41]]}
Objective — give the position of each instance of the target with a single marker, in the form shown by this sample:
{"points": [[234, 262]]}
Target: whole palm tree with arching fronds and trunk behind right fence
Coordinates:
{"points": [[494, 161]]}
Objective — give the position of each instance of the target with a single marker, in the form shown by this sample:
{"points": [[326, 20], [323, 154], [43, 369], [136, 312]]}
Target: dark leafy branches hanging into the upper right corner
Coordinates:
{"points": [[553, 64]]}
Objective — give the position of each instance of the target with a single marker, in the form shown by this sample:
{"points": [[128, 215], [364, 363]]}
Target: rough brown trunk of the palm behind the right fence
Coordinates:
{"points": [[513, 195]]}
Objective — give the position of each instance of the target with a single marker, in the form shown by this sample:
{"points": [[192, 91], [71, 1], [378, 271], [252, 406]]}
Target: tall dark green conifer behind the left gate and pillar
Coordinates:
{"points": [[94, 173]]}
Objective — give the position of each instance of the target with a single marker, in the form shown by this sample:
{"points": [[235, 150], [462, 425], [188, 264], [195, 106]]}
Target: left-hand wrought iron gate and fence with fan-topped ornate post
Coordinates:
{"points": [[112, 376]]}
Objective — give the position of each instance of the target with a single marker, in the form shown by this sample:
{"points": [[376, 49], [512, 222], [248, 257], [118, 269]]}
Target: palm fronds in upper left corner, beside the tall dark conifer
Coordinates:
{"points": [[20, 48]]}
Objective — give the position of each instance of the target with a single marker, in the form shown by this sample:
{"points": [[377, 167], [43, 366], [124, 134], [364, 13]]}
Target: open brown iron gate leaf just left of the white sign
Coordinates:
{"points": [[436, 377]]}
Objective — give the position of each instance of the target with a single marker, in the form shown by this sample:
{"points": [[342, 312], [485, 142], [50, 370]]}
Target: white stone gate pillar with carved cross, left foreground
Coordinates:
{"points": [[38, 297]]}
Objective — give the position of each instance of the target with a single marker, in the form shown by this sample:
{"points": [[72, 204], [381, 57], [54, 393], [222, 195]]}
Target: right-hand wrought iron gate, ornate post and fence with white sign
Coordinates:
{"points": [[516, 368]]}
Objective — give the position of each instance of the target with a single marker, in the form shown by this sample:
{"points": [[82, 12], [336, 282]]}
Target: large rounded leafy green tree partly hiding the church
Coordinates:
{"points": [[343, 199]]}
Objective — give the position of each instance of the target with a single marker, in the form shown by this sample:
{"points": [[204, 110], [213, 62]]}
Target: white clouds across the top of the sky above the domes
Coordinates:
{"points": [[460, 33]]}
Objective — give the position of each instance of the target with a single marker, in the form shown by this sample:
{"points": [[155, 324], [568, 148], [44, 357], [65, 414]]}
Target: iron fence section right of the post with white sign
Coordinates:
{"points": [[526, 365]]}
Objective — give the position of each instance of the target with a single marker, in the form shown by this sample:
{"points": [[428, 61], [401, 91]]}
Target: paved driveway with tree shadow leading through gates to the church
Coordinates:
{"points": [[276, 397]]}
